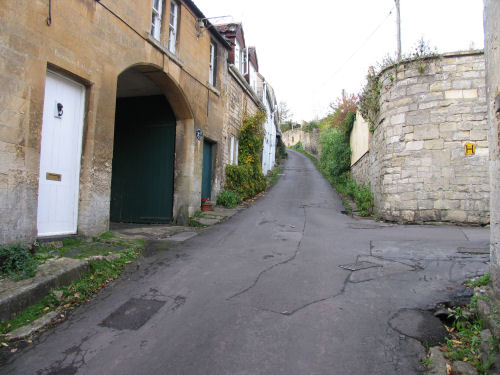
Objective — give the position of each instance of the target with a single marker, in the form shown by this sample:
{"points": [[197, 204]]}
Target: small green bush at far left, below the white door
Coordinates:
{"points": [[17, 261]]}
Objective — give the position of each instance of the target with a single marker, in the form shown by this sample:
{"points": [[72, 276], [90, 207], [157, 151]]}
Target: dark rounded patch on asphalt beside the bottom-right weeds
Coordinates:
{"points": [[419, 324]]}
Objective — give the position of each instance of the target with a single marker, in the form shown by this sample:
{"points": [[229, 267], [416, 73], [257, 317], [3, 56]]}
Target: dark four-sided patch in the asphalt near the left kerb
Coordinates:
{"points": [[132, 314]]}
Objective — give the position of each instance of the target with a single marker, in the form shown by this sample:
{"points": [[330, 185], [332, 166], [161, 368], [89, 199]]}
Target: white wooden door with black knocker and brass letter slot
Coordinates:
{"points": [[63, 113]]}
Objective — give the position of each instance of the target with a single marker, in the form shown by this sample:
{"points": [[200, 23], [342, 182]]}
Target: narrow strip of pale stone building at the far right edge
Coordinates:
{"points": [[492, 52]]}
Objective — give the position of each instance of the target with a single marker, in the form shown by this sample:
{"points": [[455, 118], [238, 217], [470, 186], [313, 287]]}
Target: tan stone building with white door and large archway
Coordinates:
{"points": [[110, 110]]}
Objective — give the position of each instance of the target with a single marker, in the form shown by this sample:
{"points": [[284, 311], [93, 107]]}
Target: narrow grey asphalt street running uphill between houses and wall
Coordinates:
{"points": [[289, 286]]}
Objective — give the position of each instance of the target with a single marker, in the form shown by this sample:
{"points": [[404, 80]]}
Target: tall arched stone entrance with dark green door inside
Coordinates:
{"points": [[150, 148]]}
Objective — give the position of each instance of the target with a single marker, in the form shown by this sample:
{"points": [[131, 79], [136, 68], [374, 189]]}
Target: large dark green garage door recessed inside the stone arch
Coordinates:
{"points": [[143, 161]]}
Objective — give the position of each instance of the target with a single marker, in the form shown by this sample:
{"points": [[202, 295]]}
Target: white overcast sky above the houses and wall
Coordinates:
{"points": [[309, 51]]}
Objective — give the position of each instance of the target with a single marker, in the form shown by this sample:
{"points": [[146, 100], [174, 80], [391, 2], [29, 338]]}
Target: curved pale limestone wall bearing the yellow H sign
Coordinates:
{"points": [[418, 168]]}
